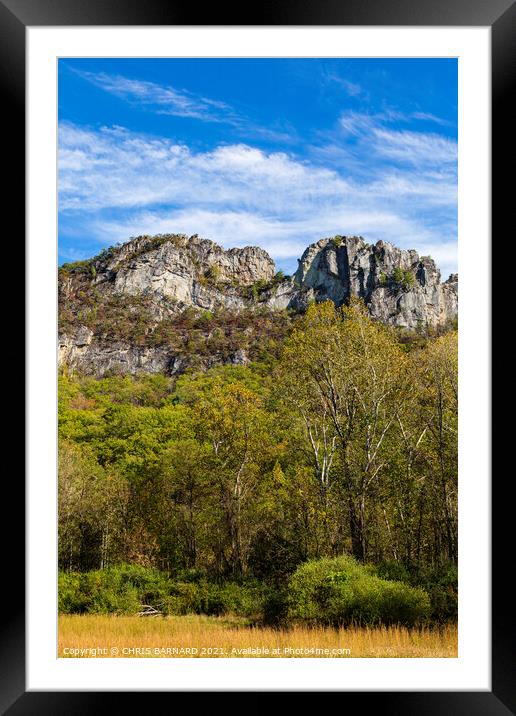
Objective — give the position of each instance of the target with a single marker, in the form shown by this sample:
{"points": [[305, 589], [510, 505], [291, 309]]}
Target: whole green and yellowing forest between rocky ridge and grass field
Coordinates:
{"points": [[318, 483]]}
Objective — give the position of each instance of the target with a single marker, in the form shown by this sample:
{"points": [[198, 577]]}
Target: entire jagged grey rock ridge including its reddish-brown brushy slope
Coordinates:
{"points": [[123, 310]]}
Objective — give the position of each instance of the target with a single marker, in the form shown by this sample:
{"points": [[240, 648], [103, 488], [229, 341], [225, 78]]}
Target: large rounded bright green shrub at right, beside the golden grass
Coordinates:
{"points": [[340, 591]]}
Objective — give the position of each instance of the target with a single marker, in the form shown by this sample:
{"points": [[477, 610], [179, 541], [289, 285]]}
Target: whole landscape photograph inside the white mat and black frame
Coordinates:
{"points": [[257, 357]]}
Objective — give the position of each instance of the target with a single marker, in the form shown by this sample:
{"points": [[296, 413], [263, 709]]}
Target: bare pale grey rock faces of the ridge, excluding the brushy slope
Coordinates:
{"points": [[175, 272]]}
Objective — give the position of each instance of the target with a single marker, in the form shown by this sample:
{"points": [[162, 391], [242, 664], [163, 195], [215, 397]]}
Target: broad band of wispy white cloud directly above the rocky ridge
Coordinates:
{"points": [[117, 183]]}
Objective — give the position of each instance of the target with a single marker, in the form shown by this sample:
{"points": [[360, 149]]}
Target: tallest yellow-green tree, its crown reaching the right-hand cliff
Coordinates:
{"points": [[350, 371]]}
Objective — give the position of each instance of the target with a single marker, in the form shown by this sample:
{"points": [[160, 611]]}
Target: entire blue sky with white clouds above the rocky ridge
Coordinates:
{"points": [[271, 152]]}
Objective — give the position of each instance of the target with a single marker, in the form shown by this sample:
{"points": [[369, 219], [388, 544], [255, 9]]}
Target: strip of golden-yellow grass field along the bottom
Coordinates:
{"points": [[226, 637]]}
